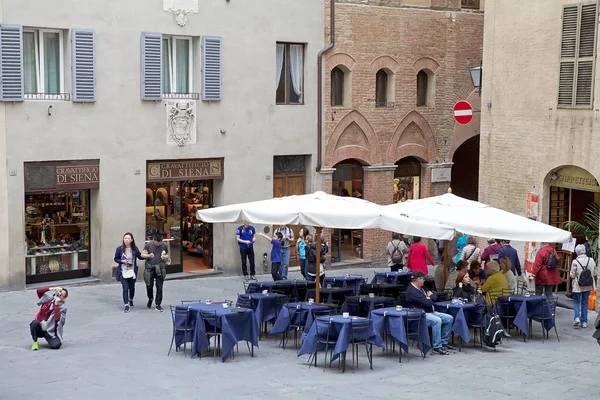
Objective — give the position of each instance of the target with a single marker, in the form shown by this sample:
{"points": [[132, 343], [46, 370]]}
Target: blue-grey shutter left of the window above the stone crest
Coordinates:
{"points": [[151, 66]]}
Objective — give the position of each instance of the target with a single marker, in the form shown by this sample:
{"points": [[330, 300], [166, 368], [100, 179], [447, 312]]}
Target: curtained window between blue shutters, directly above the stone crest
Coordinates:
{"points": [[177, 65]]}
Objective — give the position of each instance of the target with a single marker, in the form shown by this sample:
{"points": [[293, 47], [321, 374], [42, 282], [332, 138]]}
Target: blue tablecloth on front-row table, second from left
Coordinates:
{"points": [[341, 332]]}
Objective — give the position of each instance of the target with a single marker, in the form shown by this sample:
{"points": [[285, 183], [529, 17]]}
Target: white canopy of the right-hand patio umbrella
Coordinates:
{"points": [[478, 219]]}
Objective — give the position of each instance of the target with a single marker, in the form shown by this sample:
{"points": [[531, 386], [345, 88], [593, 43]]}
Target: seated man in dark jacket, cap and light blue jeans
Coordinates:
{"points": [[440, 324]]}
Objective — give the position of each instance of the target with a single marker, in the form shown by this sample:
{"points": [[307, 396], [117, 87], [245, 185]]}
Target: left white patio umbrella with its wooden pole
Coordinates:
{"points": [[323, 210]]}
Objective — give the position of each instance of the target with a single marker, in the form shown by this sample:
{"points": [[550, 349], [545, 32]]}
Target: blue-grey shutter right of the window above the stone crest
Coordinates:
{"points": [[211, 68]]}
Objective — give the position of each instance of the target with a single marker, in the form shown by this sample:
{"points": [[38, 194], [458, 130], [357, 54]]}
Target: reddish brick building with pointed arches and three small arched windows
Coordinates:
{"points": [[391, 81]]}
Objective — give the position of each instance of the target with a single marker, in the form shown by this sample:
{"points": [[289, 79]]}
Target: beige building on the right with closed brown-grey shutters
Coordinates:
{"points": [[540, 117]]}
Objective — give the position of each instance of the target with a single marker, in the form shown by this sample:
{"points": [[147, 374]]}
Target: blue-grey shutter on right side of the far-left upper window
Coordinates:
{"points": [[83, 65]]}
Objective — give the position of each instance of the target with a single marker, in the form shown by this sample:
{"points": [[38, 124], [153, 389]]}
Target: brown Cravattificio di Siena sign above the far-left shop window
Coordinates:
{"points": [[62, 175]]}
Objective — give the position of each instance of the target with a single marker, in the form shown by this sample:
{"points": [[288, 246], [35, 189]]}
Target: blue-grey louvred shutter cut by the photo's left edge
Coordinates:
{"points": [[11, 63]]}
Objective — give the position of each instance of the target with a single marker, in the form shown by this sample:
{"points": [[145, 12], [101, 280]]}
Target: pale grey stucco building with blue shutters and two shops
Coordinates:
{"points": [[129, 116]]}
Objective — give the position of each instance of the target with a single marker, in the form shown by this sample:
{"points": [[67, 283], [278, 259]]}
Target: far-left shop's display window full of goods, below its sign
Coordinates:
{"points": [[57, 226]]}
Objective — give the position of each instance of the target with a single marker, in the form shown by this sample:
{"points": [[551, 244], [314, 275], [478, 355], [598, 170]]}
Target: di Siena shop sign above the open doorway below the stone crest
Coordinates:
{"points": [[182, 170]]}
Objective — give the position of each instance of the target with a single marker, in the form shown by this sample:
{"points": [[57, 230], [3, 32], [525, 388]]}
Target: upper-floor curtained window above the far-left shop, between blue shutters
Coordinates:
{"points": [[43, 65]]}
